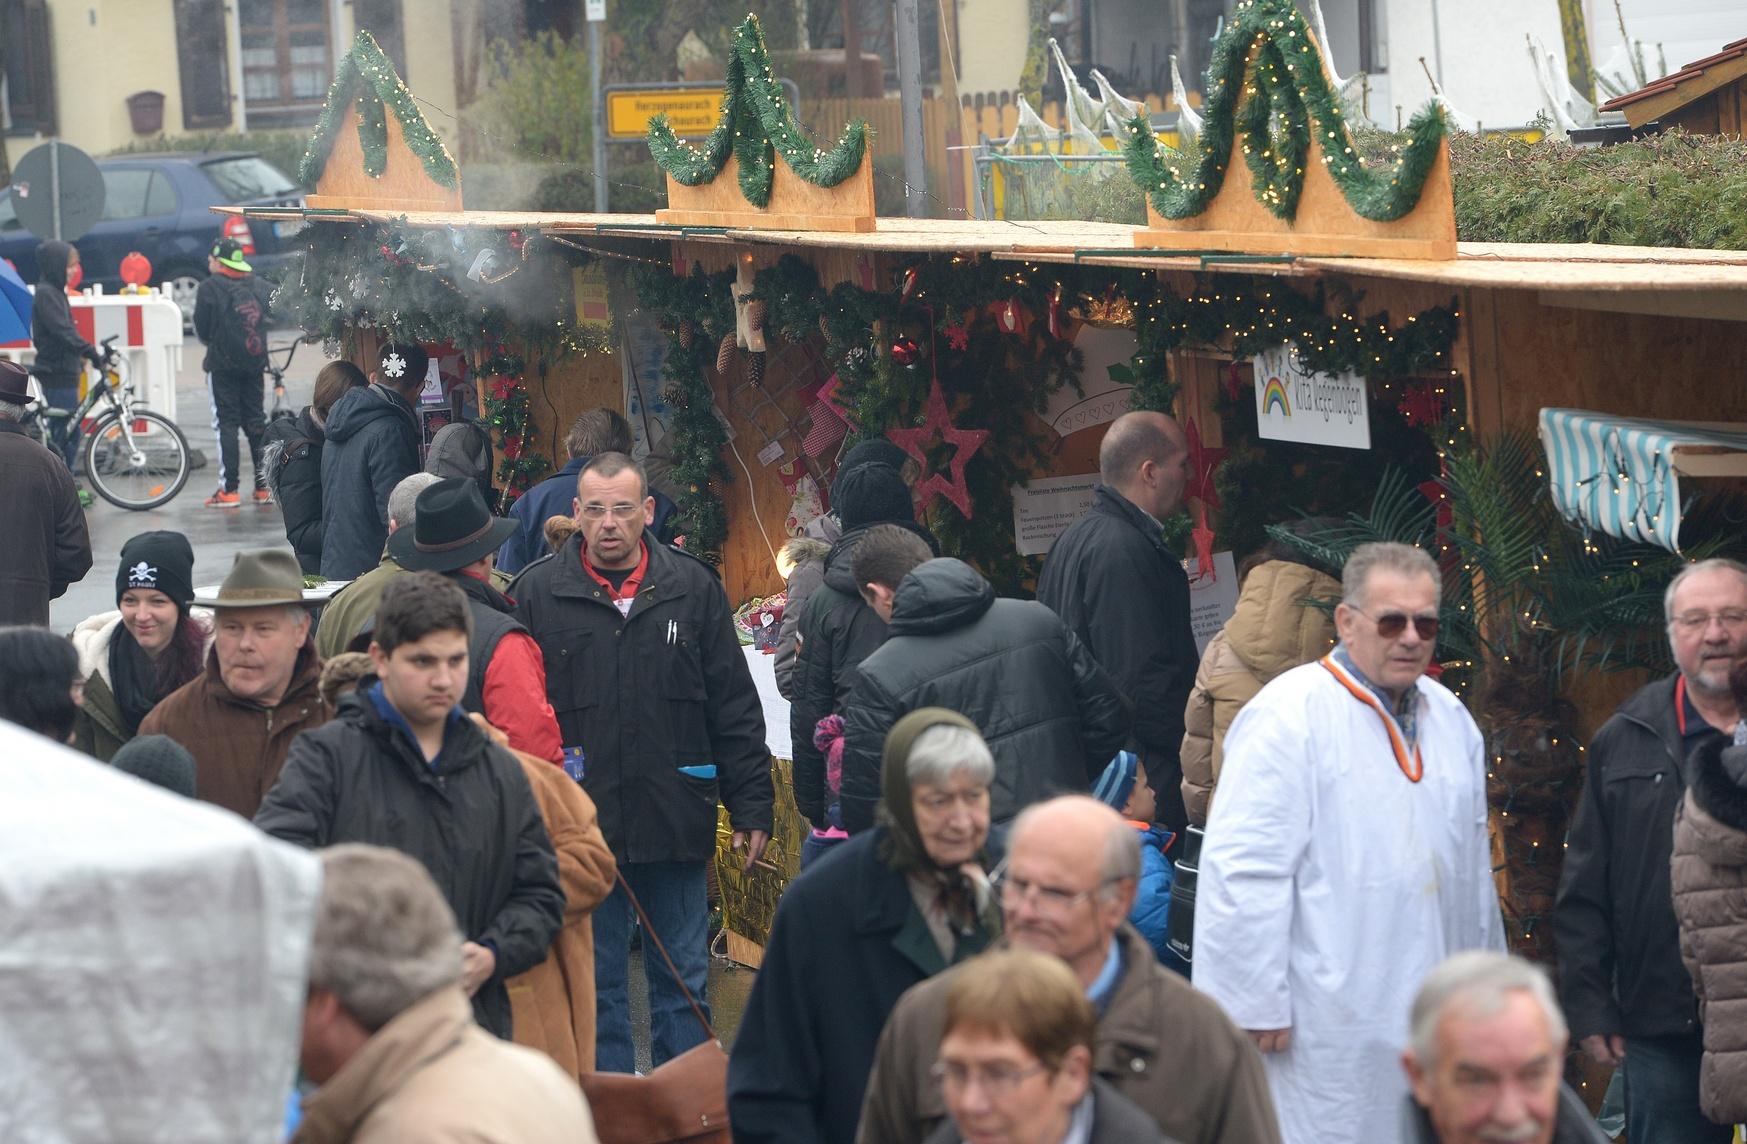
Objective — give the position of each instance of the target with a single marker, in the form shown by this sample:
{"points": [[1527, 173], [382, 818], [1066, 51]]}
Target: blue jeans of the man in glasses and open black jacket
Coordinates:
{"points": [[675, 900]]}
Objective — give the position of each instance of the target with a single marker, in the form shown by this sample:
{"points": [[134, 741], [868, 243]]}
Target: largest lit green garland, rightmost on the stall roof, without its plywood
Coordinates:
{"points": [[1274, 104]]}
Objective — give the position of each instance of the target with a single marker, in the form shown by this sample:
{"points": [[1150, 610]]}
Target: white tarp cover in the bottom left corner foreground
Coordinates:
{"points": [[153, 960]]}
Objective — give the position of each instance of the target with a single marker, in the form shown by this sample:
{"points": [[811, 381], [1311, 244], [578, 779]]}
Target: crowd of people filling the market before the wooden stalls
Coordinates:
{"points": [[502, 776]]}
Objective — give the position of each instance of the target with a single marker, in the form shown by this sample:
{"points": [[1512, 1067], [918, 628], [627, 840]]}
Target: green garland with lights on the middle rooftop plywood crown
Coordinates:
{"points": [[757, 128]]}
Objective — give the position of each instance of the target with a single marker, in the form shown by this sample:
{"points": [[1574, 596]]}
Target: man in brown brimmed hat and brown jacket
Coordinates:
{"points": [[259, 691]]}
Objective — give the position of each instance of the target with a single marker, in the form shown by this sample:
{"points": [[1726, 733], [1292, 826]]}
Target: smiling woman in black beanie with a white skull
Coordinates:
{"points": [[146, 651]]}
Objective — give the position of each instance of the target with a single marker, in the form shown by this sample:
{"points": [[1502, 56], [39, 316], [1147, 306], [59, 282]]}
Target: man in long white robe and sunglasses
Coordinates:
{"points": [[1346, 857]]}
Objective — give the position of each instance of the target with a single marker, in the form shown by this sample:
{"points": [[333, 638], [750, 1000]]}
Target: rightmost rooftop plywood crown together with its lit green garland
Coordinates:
{"points": [[1276, 169]]}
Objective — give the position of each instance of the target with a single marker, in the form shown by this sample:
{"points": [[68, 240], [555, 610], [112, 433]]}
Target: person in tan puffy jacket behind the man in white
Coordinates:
{"points": [[1271, 633]]}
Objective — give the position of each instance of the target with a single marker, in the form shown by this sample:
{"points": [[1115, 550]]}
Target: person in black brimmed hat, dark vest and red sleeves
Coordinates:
{"points": [[457, 535]]}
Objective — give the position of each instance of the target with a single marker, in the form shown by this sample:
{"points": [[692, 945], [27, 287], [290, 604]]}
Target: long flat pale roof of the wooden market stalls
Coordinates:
{"points": [[1626, 279]]}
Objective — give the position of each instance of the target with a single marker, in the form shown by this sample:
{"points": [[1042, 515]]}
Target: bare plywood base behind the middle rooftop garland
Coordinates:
{"points": [[796, 205]]}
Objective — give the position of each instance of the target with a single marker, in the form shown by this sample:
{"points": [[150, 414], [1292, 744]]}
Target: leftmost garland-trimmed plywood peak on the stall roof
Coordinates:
{"points": [[373, 148]]}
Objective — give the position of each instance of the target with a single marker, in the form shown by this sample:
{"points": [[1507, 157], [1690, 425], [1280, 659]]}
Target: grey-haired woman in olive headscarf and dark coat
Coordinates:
{"points": [[876, 916]]}
